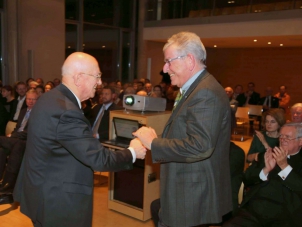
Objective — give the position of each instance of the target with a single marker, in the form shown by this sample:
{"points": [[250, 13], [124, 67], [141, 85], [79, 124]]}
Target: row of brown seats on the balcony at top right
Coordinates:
{"points": [[257, 8]]}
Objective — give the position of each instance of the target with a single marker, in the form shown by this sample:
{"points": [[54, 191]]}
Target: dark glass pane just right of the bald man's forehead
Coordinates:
{"points": [[102, 43]]}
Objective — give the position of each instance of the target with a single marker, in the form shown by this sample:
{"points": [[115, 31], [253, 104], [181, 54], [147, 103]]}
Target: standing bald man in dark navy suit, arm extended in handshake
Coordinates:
{"points": [[55, 182]]}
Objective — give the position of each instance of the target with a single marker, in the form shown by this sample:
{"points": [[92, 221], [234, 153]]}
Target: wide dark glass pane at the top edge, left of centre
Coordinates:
{"points": [[116, 13]]}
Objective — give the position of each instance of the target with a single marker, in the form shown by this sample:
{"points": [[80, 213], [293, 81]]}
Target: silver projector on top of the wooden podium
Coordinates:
{"points": [[144, 103]]}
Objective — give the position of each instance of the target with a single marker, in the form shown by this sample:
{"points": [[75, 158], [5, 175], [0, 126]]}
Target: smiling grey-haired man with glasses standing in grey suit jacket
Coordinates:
{"points": [[194, 149]]}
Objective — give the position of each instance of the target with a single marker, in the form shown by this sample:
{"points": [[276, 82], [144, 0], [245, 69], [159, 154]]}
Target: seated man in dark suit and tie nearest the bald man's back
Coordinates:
{"points": [[15, 144]]}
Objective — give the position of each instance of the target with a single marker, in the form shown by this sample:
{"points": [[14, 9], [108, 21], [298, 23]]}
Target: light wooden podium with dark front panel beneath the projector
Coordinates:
{"points": [[131, 192]]}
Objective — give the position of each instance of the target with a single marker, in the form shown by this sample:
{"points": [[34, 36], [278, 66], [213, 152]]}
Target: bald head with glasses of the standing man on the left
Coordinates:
{"points": [[81, 74]]}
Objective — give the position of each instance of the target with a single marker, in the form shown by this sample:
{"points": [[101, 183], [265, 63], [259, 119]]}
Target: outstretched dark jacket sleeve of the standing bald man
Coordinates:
{"points": [[74, 134]]}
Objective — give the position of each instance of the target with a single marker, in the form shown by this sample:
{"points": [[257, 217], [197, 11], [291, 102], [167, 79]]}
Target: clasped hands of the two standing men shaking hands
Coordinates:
{"points": [[142, 142]]}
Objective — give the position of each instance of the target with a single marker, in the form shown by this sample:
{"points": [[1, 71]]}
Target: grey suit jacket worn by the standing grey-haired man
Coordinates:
{"points": [[194, 155]]}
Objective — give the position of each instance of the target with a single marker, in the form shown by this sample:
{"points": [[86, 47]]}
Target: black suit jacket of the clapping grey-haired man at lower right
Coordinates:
{"points": [[275, 191]]}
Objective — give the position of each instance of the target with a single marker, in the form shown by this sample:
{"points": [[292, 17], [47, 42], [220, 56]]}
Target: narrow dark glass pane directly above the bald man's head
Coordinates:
{"points": [[70, 39]]}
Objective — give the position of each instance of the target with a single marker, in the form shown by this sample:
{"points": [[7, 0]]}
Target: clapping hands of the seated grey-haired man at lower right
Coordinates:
{"points": [[273, 156]]}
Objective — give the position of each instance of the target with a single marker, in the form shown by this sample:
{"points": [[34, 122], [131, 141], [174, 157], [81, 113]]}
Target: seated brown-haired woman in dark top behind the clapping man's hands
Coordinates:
{"points": [[272, 121]]}
